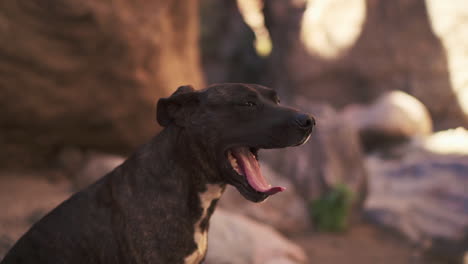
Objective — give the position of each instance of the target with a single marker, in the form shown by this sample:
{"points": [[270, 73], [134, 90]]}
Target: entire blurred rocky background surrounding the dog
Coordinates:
{"points": [[384, 179]]}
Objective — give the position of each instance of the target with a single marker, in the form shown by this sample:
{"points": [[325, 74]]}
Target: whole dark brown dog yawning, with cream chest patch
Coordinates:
{"points": [[155, 207]]}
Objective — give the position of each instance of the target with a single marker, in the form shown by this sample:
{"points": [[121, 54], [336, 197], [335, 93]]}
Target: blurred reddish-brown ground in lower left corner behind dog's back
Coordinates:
{"points": [[24, 199]]}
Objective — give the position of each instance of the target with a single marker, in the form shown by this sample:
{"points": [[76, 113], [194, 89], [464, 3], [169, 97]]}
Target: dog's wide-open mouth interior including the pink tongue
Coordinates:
{"points": [[244, 161]]}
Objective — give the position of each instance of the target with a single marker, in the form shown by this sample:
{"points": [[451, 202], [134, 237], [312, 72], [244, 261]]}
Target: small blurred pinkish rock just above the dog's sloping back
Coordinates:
{"points": [[94, 167]]}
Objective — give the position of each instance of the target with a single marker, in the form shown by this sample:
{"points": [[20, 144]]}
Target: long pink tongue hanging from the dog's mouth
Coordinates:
{"points": [[251, 169]]}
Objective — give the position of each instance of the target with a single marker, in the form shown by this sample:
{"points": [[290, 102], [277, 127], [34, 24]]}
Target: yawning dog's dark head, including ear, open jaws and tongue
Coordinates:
{"points": [[232, 122]]}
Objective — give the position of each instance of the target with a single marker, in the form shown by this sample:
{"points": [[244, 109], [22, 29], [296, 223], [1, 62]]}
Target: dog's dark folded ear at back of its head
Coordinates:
{"points": [[176, 107]]}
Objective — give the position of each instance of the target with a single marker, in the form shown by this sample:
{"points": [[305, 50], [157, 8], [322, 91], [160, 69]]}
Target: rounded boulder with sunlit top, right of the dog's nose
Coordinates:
{"points": [[394, 117]]}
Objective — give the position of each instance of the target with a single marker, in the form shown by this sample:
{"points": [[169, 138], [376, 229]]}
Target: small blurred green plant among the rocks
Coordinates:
{"points": [[331, 211]]}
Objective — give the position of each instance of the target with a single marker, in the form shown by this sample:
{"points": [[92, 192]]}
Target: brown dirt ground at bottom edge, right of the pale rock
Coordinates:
{"points": [[362, 244]]}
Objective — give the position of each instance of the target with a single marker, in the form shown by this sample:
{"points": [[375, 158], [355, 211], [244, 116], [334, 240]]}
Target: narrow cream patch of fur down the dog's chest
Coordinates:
{"points": [[200, 236]]}
